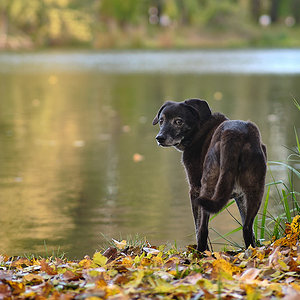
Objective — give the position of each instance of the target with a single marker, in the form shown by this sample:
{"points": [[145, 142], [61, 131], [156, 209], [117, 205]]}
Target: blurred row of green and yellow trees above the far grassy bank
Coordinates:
{"points": [[65, 22]]}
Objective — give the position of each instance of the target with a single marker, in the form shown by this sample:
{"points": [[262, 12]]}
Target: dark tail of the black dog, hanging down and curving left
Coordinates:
{"points": [[229, 159]]}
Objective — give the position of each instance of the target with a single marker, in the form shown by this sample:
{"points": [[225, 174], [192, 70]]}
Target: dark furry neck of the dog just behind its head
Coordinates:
{"points": [[196, 137]]}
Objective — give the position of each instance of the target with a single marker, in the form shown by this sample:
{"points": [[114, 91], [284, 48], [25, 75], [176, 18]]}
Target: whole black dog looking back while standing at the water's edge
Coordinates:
{"points": [[223, 159]]}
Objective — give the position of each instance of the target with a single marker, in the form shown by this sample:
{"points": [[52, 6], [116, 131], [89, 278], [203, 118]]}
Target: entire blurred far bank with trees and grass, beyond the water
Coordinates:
{"points": [[101, 24]]}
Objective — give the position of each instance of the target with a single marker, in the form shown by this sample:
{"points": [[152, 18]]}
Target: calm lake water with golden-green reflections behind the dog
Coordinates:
{"points": [[78, 158]]}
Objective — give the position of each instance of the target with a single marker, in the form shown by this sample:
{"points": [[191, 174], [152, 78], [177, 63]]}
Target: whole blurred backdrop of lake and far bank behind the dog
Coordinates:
{"points": [[81, 81]]}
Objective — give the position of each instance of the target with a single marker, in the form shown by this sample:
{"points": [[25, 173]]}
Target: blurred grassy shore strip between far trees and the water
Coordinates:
{"points": [[142, 38]]}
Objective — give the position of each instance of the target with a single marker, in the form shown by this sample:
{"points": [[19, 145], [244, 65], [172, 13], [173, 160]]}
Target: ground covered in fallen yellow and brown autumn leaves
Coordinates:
{"points": [[128, 272]]}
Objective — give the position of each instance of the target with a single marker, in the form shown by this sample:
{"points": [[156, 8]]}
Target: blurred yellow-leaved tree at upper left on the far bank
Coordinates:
{"points": [[47, 21]]}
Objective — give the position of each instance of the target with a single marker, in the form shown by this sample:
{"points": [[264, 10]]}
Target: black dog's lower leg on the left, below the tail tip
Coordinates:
{"points": [[201, 218]]}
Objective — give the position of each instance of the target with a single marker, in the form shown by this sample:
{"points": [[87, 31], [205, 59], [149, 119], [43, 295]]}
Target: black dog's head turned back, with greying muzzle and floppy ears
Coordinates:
{"points": [[179, 122]]}
